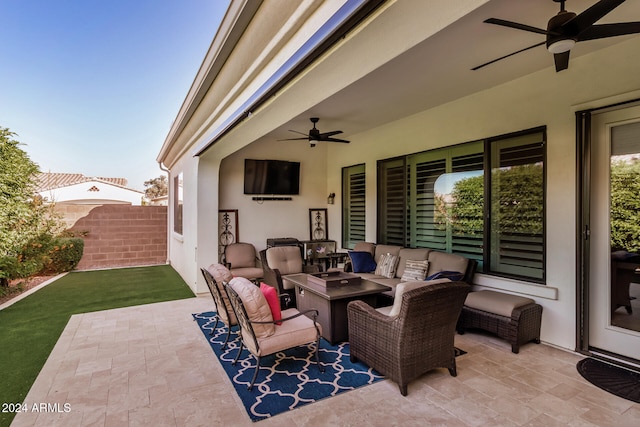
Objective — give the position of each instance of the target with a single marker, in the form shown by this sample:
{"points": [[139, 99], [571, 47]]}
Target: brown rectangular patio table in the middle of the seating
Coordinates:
{"points": [[331, 303]]}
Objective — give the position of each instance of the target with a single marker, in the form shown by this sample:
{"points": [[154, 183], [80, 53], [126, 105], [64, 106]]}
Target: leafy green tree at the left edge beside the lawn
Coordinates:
{"points": [[24, 219]]}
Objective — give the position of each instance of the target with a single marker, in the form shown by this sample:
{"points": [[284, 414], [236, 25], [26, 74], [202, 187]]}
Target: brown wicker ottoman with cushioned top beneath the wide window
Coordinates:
{"points": [[516, 319]]}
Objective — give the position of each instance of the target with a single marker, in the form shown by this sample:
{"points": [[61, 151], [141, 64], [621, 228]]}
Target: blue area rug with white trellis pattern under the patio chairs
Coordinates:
{"points": [[288, 379]]}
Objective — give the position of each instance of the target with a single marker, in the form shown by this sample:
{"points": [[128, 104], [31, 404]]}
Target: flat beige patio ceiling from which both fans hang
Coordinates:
{"points": [[439, 69]]}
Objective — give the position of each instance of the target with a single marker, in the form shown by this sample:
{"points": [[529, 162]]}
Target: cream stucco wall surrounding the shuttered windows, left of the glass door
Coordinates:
{"points": [[543, 98]]}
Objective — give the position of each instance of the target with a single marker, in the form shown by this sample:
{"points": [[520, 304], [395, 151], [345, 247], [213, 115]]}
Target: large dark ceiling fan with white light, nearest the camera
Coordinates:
{"points": [[565, 29]]}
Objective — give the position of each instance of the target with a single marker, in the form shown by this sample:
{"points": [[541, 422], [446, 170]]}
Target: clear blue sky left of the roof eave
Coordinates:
{"points": [[92, 86]]}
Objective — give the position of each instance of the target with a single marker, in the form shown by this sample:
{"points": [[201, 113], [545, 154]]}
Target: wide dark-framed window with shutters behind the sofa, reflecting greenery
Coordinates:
{"points": [[483, 200]]}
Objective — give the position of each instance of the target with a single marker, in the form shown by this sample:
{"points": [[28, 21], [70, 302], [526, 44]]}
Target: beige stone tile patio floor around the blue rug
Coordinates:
{"points": [[150, 365]]}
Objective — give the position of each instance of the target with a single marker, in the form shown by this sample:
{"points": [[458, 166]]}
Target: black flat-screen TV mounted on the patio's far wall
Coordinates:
{"points": [[271, 177]]}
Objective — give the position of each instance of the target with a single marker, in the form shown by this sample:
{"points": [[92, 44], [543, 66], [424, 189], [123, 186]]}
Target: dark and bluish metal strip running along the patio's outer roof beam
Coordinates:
{"points": [[344, 20]]}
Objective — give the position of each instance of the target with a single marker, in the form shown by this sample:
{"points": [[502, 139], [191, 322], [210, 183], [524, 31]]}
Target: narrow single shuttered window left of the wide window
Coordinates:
{"points": [[353, 205]]}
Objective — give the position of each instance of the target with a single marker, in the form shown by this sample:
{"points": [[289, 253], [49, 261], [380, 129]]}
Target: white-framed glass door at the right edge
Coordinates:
{"points": [[614, 290]]}
